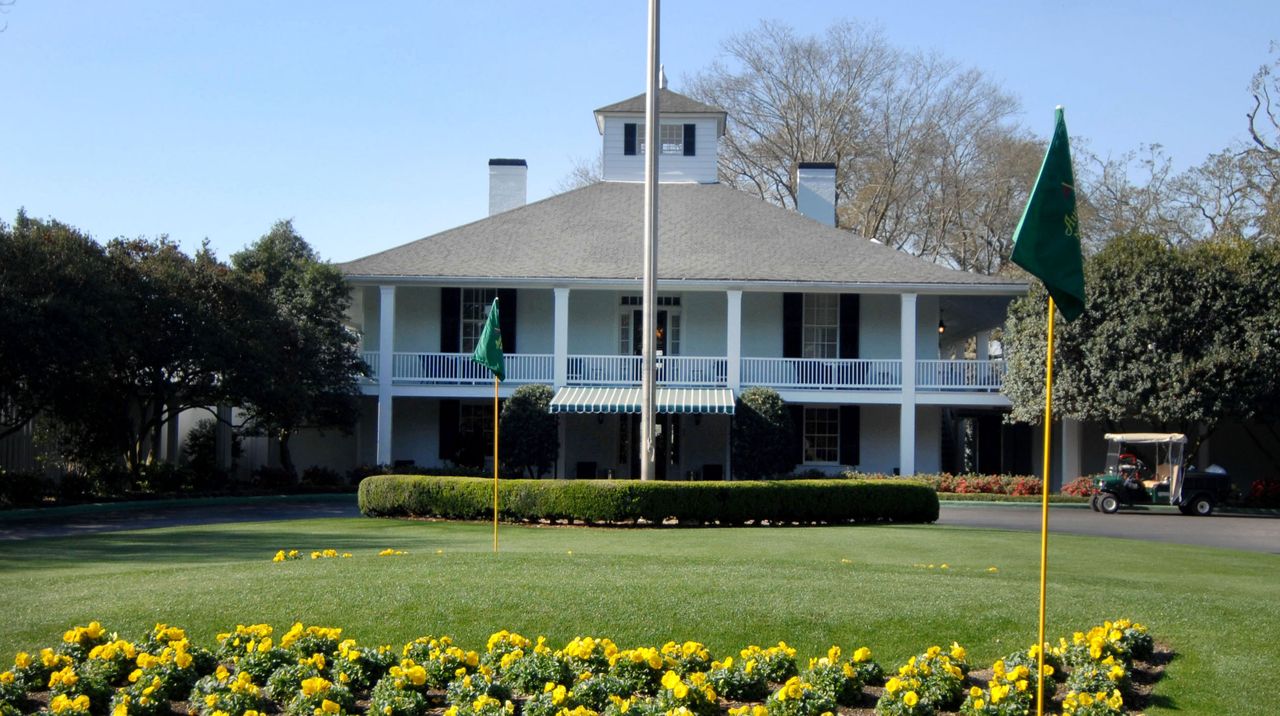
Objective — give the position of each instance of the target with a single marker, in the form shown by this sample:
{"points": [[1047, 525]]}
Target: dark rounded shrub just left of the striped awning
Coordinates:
{"points": [[529, 432]]}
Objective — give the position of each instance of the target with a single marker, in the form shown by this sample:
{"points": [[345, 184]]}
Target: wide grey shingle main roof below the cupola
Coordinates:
{"points": [[706, 234]]}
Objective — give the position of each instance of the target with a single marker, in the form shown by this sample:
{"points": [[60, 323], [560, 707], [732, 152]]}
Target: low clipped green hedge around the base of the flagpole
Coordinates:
{"points": [[628, 501]]}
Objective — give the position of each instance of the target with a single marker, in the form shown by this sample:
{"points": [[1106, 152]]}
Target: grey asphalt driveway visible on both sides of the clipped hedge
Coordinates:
{"points": [[1252, 533]]}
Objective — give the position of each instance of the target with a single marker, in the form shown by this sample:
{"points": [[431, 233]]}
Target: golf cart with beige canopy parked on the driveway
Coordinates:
{"points": [[1130, 481]]}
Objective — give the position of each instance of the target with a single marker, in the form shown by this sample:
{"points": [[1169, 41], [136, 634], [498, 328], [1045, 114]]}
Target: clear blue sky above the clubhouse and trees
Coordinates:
{"points": [[371, 125]]}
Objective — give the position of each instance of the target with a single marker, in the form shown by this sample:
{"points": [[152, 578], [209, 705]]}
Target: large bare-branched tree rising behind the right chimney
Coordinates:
{"points": [[925, 149]]}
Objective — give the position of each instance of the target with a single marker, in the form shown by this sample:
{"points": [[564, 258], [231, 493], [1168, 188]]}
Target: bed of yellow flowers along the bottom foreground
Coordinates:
{"points": [[314, 672]]}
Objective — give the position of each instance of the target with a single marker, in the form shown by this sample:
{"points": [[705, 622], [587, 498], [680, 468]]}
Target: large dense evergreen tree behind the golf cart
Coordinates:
{"points": [[1176, 339]]}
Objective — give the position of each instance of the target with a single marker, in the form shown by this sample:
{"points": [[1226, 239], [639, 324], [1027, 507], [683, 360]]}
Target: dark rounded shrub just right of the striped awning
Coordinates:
{"points": [[762, 436]]}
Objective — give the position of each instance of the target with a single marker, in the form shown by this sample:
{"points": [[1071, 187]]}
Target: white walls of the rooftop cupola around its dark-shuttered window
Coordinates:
{"points": [[671, 167]]}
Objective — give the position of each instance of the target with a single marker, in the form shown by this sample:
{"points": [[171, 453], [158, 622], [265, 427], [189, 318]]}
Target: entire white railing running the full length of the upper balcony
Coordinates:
{"points": [[982, 377]]}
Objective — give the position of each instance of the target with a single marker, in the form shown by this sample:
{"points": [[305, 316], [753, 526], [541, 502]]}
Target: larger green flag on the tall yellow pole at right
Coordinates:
{"points": [[1048, 241]]}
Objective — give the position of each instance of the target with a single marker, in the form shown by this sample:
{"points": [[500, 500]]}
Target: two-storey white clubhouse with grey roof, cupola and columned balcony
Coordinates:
{"points": [[849, 332]]}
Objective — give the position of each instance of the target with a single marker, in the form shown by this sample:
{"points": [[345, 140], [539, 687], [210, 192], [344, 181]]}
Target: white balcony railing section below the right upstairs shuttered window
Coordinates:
{"points": [[830, 375]]}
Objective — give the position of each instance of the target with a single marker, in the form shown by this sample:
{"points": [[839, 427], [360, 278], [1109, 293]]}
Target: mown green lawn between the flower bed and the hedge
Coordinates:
{"points": [[812, 587]]}
